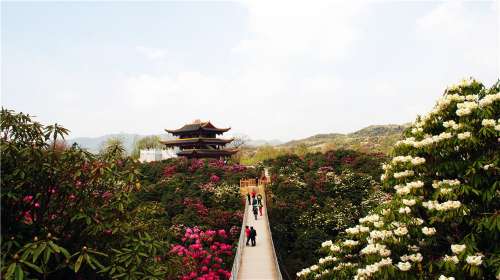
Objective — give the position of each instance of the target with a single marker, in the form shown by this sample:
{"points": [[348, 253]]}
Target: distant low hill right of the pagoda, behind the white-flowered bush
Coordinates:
{"points": [[374, 138]]}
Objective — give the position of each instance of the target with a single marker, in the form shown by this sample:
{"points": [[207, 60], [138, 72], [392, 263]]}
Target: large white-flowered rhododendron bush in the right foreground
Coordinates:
{"points": [[443, 220]]}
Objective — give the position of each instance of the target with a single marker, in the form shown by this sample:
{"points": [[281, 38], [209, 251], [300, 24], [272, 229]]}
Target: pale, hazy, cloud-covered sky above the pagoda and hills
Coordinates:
{"points": [[269, 69]]}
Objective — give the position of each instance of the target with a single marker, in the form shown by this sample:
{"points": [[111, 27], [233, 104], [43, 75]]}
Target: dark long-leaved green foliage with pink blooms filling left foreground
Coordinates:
{"points": [[66, 212]]}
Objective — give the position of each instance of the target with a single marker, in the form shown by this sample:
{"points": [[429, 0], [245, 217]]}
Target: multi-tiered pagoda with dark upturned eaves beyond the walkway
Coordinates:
{"points": [[199, 140]]}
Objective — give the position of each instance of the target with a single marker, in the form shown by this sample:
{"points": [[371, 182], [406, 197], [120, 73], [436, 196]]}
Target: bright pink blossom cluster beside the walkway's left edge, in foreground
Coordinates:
{"points": [[205, 253]]}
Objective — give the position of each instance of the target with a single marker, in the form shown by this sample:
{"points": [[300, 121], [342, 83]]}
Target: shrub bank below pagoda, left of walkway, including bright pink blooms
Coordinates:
{"points": [[197, 196]]}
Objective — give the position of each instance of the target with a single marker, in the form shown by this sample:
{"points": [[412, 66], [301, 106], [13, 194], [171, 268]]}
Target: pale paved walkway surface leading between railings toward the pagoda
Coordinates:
{"points": [[258, 262]]}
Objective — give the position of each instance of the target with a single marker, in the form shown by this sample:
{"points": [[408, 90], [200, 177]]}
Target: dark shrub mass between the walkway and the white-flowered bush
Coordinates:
{"points": [[314, 197]]}
